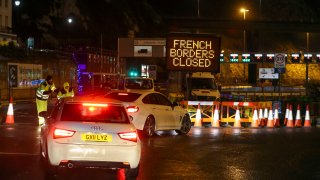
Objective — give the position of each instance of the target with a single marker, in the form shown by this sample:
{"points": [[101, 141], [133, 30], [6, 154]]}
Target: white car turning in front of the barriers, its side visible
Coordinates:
{"points": [[151, 111]]}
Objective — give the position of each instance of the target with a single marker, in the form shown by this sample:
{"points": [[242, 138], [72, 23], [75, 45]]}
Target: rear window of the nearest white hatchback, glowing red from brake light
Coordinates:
{"points": [[86, 112]]}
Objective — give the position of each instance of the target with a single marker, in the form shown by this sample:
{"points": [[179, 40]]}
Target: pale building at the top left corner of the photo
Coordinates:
{"points": [[6, 34]]}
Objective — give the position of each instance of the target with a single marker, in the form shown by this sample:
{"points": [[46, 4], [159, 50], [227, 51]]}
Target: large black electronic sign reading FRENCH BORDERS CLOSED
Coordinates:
{"points": [[193, 52]]}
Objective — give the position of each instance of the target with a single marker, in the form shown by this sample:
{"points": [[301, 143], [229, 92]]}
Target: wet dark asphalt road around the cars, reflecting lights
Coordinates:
{"points": [[205, 153]]}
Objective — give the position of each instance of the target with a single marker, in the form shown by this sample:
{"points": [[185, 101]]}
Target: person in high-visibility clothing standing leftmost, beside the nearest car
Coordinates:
{"points": [[42, 95]]}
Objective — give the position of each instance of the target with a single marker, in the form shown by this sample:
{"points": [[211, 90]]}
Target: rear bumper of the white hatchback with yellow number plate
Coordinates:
{"points": [[94, 155]]}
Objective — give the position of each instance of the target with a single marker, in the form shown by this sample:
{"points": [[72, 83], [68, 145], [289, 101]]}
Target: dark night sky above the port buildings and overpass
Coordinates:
{"points": [[46, 19]]}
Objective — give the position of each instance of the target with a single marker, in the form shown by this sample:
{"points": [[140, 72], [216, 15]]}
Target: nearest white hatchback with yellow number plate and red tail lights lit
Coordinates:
{"points": [[90, 132]]}
